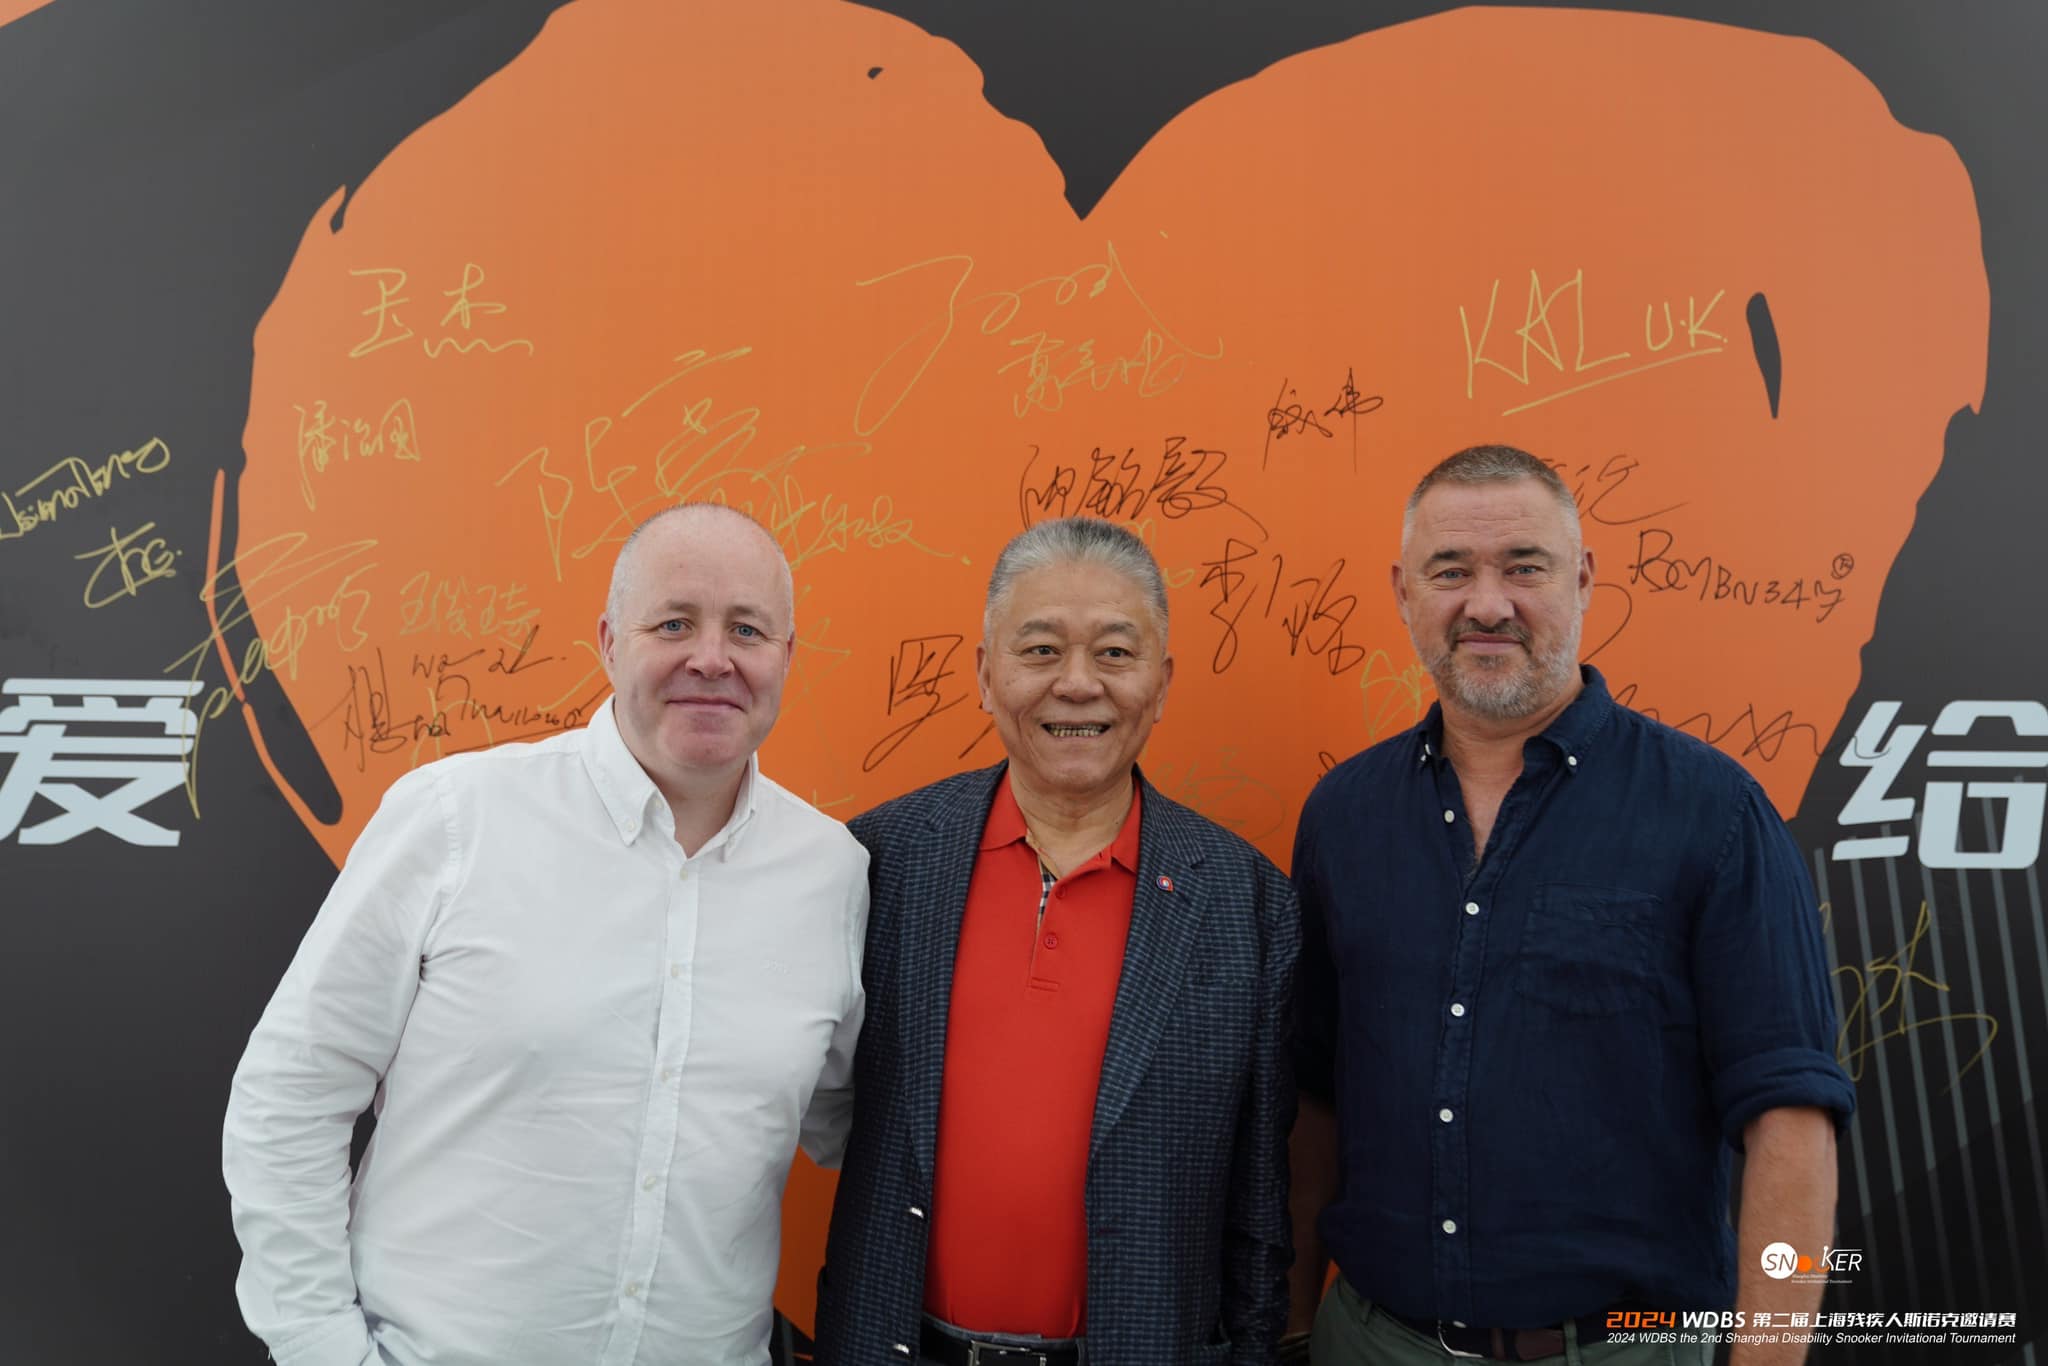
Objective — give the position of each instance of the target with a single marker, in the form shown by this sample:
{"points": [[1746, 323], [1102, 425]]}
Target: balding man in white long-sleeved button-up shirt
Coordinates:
{"points": [[597, 990]]}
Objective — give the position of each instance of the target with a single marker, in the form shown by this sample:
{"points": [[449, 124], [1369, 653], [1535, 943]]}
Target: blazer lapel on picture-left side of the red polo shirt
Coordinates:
{"points": [[935, 894]]}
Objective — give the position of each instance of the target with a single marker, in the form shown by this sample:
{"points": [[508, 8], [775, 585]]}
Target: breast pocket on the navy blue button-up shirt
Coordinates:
{"points": [[1590, 951]]}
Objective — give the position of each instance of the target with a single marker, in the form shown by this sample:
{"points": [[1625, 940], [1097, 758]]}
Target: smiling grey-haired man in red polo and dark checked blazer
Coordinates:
{"points": [[1072, 1099]]}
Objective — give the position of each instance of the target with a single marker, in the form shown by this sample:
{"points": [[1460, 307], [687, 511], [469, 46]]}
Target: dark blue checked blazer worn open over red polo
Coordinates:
{"points": [[1189, 1238]]}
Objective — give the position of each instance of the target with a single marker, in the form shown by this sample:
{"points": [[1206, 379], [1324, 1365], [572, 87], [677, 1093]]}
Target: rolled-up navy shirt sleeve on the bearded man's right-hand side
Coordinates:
{"points": [[1760, 978]]}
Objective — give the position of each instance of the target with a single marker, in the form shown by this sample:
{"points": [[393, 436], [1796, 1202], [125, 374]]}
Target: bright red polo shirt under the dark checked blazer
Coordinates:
{"points": [[1025, 1037]]}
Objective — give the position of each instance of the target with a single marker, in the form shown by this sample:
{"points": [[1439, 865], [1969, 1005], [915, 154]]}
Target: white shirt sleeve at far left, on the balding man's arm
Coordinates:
{"points": [[312, 1068]]}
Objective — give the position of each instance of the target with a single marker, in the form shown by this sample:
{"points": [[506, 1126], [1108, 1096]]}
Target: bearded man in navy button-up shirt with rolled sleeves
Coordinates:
{"points": [[1558, 962]]}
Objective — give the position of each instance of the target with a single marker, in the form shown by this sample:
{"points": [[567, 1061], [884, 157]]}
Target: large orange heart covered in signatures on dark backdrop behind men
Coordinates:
{"points": [[787, 257]]}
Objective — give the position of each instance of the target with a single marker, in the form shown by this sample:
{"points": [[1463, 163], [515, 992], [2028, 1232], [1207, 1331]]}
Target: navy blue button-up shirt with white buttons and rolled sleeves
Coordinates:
{"points": [[1541, 1064]]}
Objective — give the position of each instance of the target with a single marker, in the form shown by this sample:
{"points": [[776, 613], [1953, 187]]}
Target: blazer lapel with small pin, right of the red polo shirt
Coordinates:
{"points": [[1164, 921]]}
